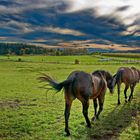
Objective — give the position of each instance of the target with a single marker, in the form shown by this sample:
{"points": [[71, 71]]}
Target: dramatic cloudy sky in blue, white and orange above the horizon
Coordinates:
{"points": [[58, 21]]}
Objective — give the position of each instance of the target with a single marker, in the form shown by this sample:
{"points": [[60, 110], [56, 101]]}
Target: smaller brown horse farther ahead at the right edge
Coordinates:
{"points": [[130, 77]]}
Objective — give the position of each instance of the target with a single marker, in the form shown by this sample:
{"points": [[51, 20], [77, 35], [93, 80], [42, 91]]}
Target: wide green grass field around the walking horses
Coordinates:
{"points": [[28, 112]]}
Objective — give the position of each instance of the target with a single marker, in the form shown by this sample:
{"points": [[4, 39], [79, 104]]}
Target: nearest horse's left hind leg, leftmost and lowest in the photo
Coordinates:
{"points": [[67, 114]]}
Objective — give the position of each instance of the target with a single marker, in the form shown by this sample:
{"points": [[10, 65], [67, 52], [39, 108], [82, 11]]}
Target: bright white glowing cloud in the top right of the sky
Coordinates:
{"points": [[125, 11]]}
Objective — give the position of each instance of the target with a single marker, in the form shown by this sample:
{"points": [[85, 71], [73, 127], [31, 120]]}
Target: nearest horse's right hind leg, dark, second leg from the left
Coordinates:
{"points": [[85, 112]]}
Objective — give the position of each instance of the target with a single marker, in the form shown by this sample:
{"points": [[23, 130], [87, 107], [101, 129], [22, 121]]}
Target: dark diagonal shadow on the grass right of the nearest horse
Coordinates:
{"points": [[111, 126]]}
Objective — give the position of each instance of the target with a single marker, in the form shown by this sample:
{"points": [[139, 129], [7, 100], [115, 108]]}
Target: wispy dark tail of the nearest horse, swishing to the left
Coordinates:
{"points": [[53, 83]]}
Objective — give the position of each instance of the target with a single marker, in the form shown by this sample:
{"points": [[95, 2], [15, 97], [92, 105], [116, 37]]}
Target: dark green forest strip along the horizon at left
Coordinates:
{"points": [[25, 49]]}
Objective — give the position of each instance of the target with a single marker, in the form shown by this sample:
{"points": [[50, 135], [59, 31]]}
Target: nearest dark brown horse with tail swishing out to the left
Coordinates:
{"points": [[83, 86]]}
